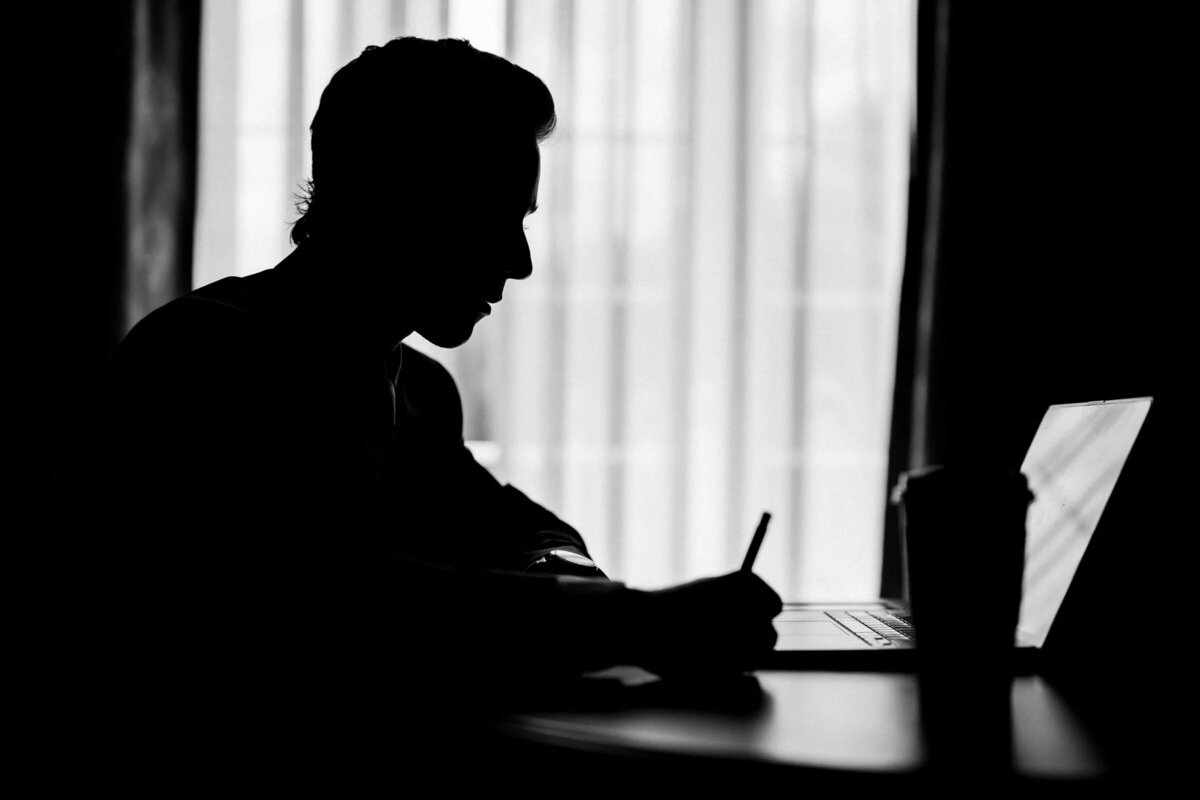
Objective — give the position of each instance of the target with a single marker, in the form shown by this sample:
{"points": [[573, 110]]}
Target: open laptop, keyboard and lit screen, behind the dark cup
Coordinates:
{"points": [[1073, 466]]}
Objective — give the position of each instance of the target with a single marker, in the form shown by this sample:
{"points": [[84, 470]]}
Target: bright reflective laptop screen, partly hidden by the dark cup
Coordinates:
{"points": [[1072, 466]]}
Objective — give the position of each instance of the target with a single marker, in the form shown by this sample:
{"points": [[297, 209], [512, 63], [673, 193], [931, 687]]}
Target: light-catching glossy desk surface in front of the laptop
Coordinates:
{"points": [[814, 723]]}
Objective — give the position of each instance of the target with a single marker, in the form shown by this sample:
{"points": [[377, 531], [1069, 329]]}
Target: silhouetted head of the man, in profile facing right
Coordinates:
{"points": [[424, 166]]}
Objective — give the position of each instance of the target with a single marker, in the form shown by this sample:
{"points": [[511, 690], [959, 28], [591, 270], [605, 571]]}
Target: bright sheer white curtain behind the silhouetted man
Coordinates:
{"points": [[710, 328]]}
